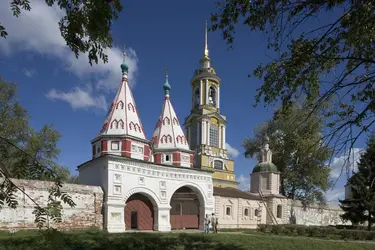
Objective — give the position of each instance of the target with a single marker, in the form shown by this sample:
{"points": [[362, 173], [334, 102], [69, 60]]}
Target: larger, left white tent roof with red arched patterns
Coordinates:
{"points": [[122, 117]]}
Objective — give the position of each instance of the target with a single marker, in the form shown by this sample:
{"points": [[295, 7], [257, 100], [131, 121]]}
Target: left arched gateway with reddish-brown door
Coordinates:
{"points": [[139, 213]]}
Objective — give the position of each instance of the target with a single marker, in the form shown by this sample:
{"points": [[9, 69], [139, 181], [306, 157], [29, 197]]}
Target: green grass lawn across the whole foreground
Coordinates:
{"points": [[95, 240]]}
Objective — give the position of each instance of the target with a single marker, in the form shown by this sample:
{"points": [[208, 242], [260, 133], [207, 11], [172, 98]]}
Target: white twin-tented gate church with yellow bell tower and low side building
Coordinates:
{"points": [[180, 175]]}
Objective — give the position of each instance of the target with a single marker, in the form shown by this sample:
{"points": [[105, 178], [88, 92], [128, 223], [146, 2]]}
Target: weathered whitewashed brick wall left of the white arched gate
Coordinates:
{"points": [[87, 212]]}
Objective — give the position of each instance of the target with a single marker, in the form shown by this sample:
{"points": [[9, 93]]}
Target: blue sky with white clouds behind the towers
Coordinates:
{"points": [[57, 88]]}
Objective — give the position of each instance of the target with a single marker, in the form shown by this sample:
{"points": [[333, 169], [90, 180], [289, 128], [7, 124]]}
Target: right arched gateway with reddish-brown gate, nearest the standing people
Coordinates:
{"points": [[184, 213]]}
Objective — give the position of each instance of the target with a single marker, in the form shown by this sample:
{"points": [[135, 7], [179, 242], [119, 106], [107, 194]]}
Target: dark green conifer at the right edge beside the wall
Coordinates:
{"points": [[359, 207]]}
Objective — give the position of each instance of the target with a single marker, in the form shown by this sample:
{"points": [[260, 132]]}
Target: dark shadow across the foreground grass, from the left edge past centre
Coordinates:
{"points": [[103, 241]]}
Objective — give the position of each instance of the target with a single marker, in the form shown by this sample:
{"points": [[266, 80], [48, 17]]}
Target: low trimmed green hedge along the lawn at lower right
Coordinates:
{"points": [[330, 232]]}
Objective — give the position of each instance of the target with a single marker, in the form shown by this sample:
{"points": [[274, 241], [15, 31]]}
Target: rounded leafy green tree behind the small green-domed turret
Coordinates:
{"points": [[304, 174]]}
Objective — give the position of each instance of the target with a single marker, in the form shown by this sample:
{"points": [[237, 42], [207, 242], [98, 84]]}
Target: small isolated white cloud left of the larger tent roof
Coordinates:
{"points": [[79, 98]]}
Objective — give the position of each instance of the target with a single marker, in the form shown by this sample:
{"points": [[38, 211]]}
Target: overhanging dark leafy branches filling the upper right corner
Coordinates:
{"points": [[328, 59]]}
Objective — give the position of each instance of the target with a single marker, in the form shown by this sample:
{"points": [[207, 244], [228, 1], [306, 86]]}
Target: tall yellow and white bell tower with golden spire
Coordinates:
{"points": [[205, 126]]}
